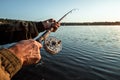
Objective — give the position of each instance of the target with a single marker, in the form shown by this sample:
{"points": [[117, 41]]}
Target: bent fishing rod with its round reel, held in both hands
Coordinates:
{"points": [[52, 44]]}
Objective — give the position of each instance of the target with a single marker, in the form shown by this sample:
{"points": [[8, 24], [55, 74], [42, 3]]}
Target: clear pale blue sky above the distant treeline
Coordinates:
{"points": [[38, 10]]}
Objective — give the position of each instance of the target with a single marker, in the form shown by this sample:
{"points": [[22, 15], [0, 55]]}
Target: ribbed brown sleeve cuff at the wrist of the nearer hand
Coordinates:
{"points": [[10, 61]]}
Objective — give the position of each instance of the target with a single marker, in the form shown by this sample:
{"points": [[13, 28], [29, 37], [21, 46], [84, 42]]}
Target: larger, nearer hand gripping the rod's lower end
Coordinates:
{"points": [[28, 51]]}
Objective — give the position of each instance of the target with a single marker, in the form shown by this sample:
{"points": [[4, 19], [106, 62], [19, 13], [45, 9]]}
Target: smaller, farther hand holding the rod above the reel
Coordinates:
{"points": [[51, 23]]}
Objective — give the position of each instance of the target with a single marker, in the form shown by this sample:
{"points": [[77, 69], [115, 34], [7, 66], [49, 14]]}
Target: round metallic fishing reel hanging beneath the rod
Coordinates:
{"points": [[52, 45]]}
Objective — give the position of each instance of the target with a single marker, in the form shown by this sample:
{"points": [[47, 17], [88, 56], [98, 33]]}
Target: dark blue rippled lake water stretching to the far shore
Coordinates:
{"points": [[88, 53]]}
